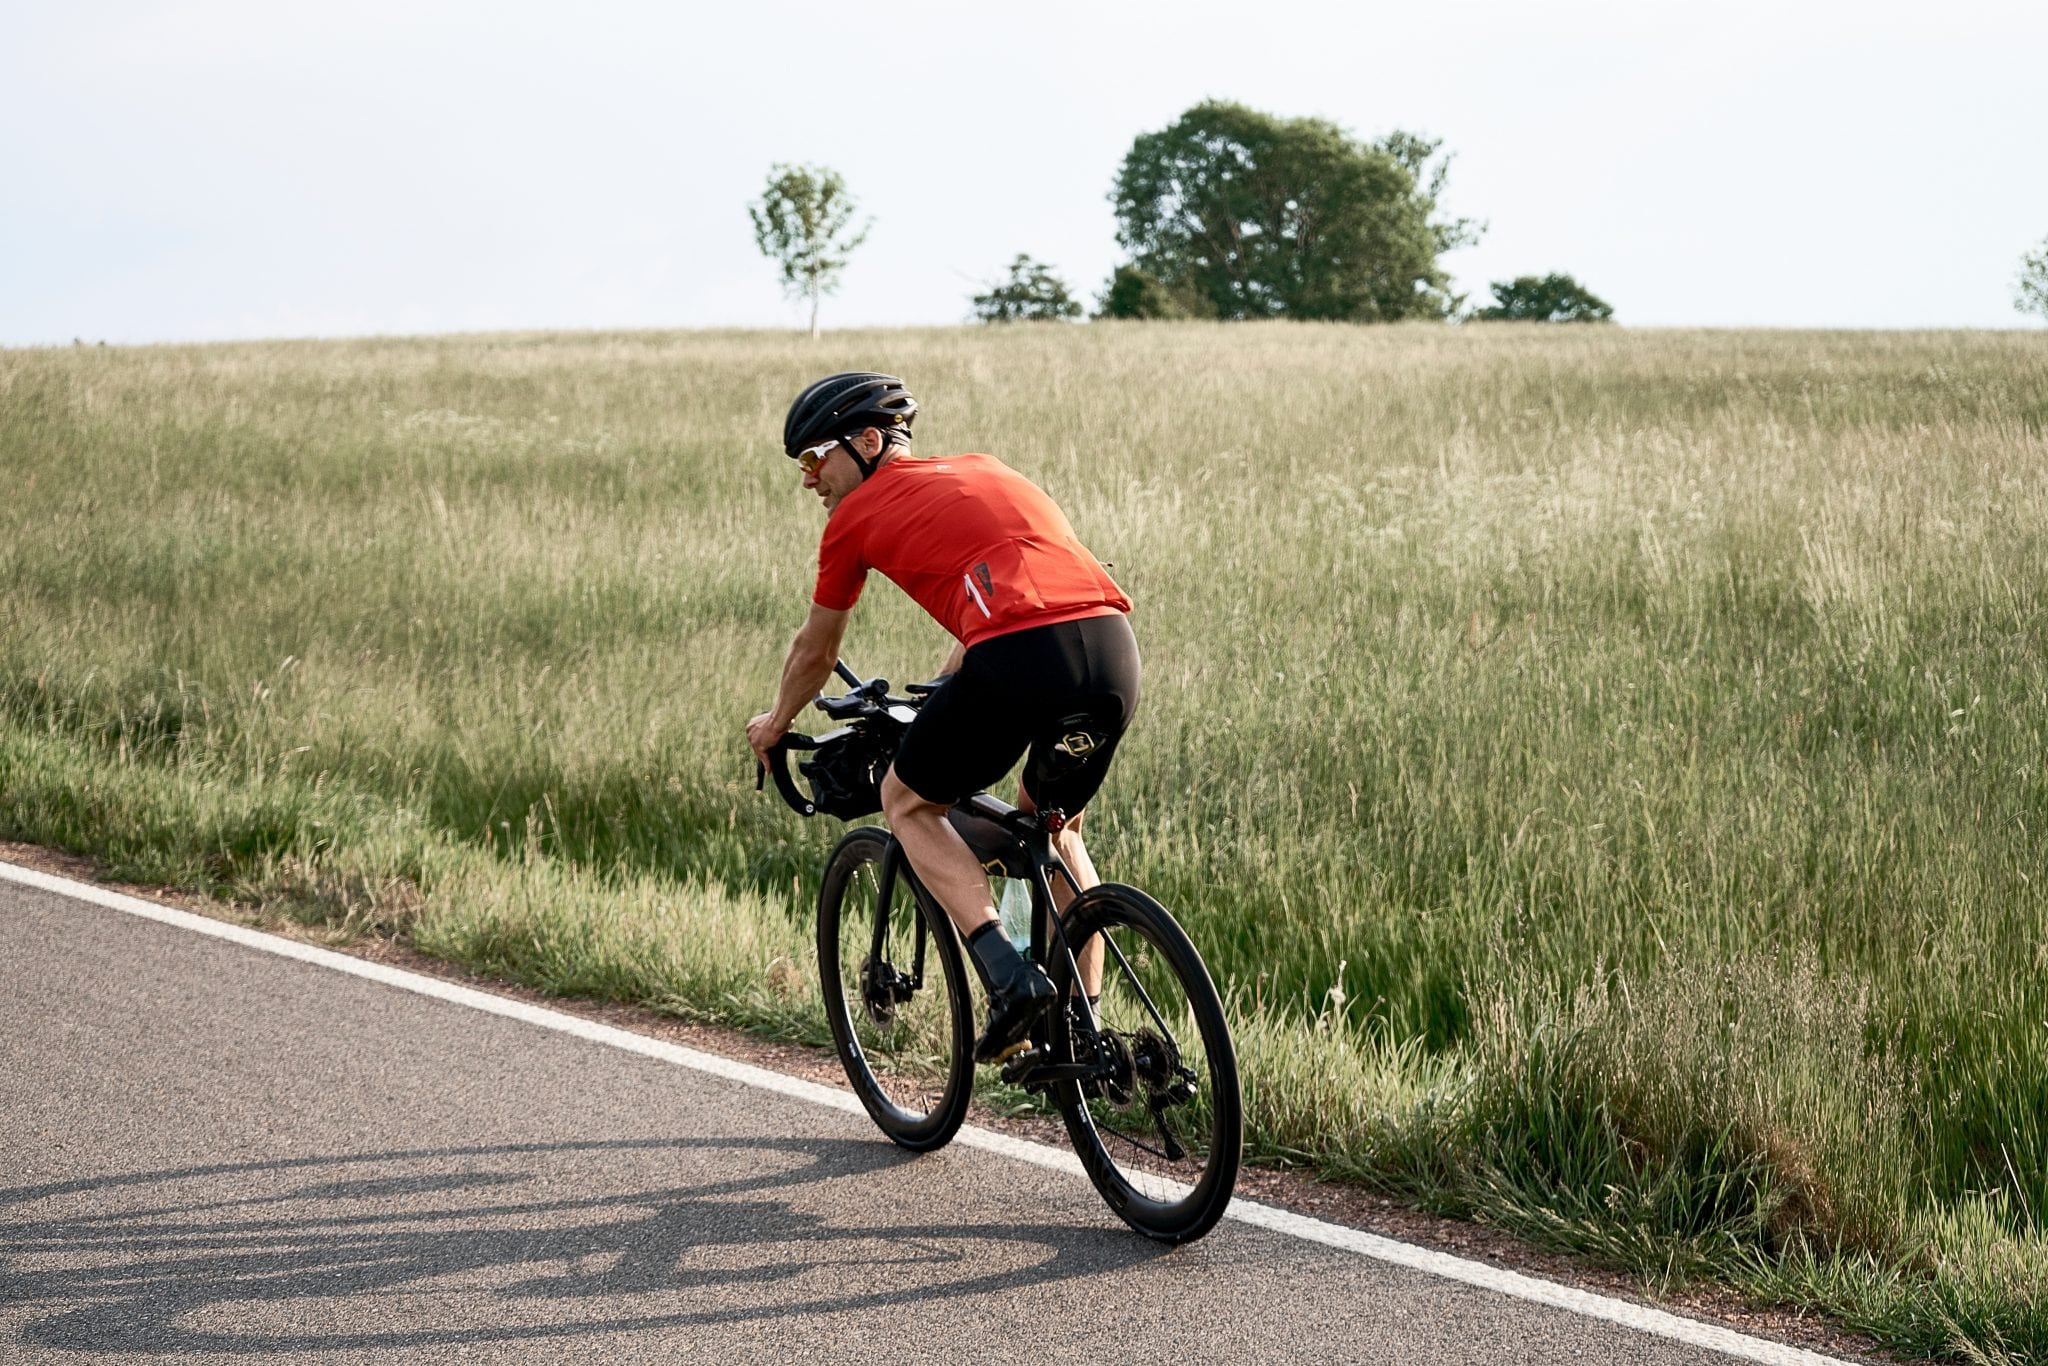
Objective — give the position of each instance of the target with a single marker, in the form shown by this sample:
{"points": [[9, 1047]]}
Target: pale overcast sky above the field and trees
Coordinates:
{"points": [[261, 169]]}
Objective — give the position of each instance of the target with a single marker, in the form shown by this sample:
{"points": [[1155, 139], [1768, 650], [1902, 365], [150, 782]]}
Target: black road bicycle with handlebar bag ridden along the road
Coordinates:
{"points": [[1146, 1078]]}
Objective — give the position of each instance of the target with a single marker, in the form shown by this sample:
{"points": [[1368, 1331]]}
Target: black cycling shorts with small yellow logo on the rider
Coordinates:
{"points": [[1066, 693]]}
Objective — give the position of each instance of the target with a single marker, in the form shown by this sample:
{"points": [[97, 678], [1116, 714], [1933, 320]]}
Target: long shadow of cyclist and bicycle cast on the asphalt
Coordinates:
{"points": [[503, 1244]]}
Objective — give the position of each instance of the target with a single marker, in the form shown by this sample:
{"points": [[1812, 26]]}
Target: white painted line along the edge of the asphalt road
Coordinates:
{"points": [[1533, 1289]]}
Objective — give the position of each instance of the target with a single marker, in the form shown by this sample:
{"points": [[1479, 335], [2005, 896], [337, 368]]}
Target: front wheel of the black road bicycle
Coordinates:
{"points": [[910, 1058]]}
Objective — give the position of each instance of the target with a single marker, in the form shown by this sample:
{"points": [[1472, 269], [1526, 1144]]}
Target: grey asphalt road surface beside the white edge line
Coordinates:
{"points": [[216, 1154]]}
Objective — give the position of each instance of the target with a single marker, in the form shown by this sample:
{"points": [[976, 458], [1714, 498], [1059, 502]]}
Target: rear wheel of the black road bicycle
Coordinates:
{"points": [[1164, 1199]]}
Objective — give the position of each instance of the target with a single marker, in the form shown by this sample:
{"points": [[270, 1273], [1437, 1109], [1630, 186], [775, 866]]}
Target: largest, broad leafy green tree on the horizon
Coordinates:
{"points": [[1250, 216]]}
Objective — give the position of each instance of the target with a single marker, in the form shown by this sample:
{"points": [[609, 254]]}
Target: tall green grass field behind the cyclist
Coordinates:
{"points": [[1605, 769]]}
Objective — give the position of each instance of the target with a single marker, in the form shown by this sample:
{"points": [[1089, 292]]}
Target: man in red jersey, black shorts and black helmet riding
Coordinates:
{"points": [[1043, 656]]}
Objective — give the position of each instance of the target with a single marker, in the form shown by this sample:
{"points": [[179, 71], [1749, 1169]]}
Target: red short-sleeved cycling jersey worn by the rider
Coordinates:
{"points": [[972, 542]]}
